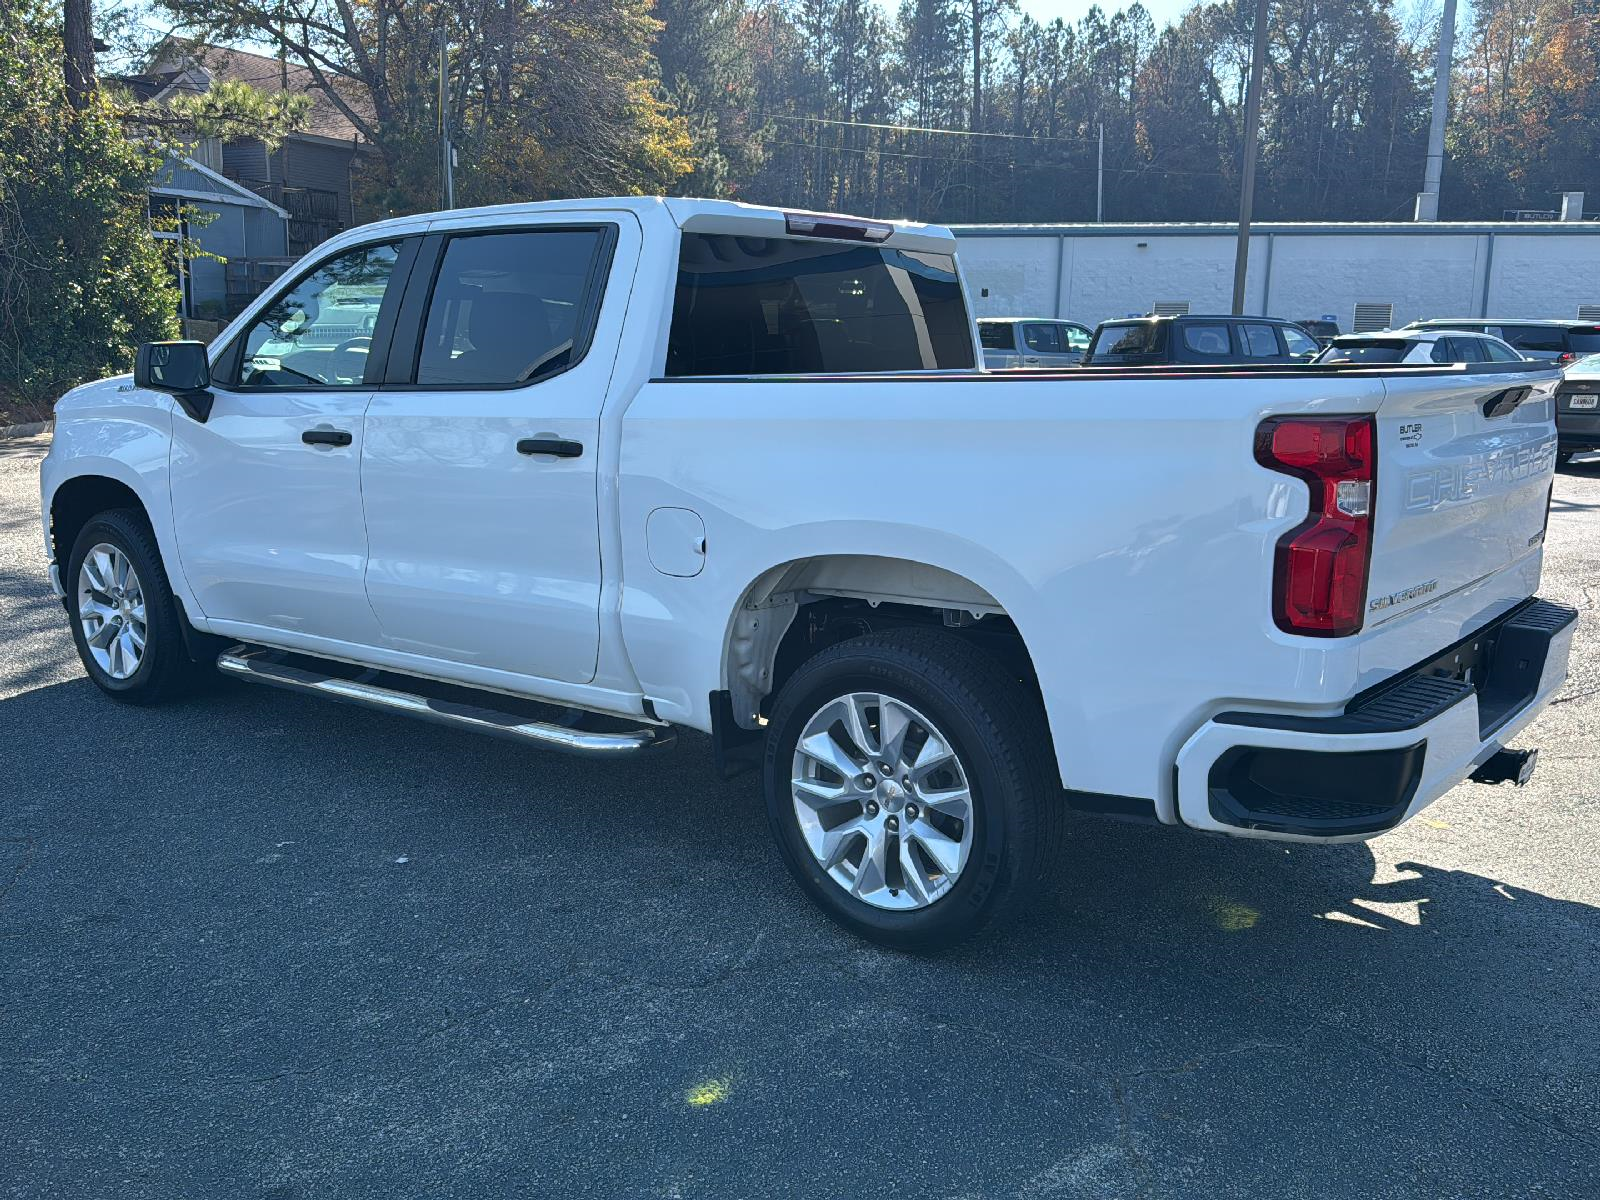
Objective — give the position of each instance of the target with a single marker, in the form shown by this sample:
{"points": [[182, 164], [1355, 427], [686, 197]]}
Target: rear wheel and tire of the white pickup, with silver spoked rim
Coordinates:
{"points": [[954, 836]]}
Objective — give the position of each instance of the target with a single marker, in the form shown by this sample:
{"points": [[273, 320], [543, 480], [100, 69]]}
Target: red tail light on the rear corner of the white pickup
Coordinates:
{"points": [[1319, 578]]}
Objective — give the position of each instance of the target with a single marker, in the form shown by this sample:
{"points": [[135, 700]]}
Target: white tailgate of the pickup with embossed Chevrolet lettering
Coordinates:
{"points": [[1463, 482]]}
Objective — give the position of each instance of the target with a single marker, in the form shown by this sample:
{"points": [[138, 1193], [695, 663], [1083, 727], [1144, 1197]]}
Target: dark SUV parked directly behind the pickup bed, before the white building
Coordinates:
{"points": [[1156, 342]]}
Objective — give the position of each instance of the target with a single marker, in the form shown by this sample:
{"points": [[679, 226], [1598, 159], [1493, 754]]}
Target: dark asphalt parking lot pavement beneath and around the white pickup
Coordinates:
{"points": [[262, 946]]}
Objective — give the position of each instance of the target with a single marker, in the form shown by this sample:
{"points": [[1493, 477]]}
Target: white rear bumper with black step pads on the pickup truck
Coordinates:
{"points": [[1391, 753]]}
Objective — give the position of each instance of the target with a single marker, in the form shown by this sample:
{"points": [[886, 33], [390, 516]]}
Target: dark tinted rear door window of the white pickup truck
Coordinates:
{"points": [[510, 308]]}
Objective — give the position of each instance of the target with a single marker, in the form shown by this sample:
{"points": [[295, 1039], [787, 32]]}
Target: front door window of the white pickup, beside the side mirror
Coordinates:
{"points": [[318, 334]]}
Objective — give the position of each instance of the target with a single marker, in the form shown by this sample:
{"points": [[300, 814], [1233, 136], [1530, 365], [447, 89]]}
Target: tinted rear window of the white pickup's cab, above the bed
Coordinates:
{"points": [[783, 306]]}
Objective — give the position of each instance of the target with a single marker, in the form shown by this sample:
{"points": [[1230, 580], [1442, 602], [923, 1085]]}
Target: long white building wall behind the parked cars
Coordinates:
{"points": [[1098, 273]]}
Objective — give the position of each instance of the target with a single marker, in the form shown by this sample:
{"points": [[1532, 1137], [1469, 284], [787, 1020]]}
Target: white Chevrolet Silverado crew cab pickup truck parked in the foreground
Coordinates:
{"points": [[582, 473]]}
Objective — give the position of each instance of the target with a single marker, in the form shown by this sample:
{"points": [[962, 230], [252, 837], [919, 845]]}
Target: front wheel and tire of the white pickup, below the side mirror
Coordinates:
{"points": [[126, 622]]}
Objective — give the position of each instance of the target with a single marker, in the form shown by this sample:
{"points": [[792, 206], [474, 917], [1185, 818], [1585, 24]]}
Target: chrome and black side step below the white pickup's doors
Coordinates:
{"points": [[314, 676]]}
